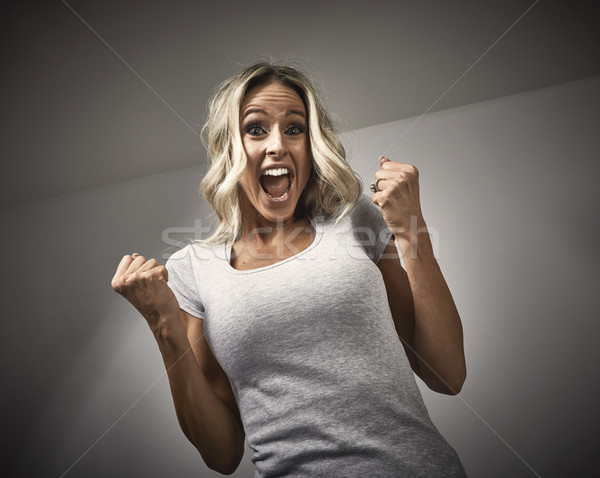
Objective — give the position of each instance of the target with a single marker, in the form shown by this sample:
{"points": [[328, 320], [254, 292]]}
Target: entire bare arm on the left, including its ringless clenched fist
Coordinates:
{"points": [[202, 396]]}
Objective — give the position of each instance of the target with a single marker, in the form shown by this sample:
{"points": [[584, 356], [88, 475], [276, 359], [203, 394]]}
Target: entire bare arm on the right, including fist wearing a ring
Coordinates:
{"points": [[424, 312]]}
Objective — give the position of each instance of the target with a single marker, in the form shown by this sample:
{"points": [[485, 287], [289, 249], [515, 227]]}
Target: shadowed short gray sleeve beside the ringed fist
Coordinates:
{"points": [[368, 222]]}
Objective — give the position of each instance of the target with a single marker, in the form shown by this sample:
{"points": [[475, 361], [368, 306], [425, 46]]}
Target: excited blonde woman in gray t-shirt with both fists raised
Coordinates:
{"points": [[305, 328]]}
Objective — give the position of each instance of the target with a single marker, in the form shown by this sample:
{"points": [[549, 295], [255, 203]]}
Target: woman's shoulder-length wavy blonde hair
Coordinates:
{"points": [[333, 187]]}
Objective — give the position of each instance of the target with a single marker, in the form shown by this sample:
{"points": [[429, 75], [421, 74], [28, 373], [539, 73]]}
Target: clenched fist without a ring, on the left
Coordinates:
{"points": [[144, 283]]}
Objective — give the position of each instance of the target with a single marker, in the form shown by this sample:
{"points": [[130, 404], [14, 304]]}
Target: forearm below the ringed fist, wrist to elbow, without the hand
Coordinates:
{"points": [[437, 338]]}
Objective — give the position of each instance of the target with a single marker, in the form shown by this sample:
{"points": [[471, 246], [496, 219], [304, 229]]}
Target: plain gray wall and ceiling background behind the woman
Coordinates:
{"points": [[95, 165]]}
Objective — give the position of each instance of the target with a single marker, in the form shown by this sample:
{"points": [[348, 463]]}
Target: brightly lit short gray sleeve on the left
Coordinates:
{"points": [[183, 282]]}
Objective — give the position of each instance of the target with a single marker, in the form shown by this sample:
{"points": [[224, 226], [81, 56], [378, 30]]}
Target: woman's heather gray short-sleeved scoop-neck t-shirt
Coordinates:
{"points": [[309, 345]]}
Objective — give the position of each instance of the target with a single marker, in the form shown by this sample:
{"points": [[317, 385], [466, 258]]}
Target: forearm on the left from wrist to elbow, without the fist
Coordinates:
{"points": [[203, 417]]}
